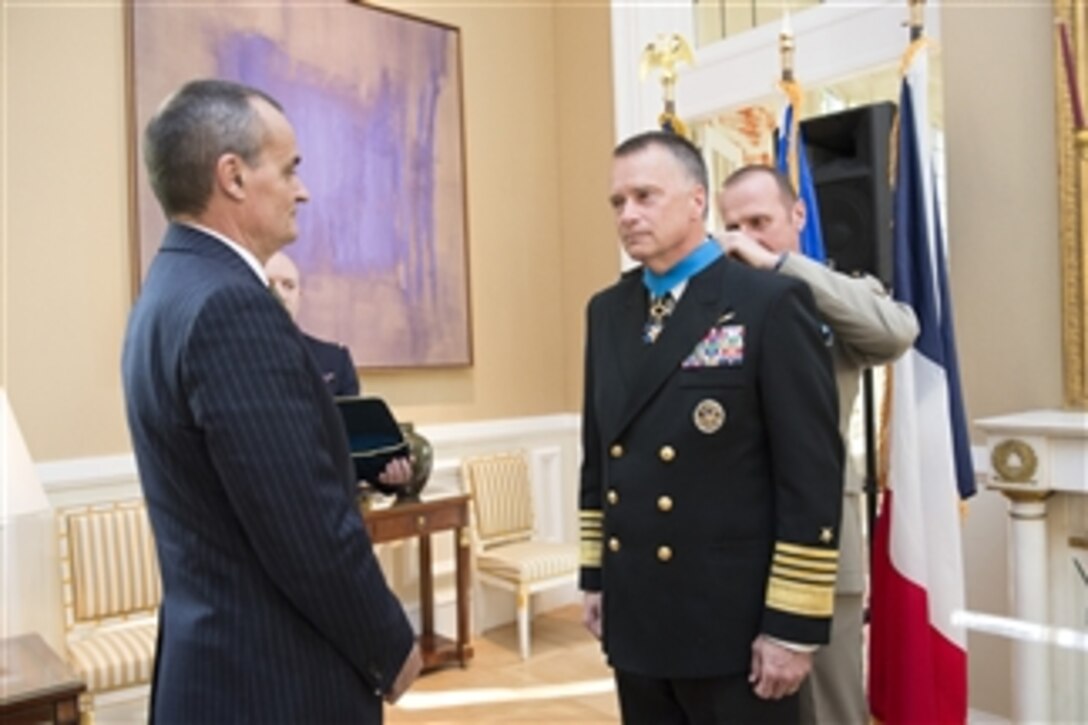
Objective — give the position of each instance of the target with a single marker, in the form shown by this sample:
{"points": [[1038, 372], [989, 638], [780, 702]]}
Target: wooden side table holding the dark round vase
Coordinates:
{"points": [[421, 520]]}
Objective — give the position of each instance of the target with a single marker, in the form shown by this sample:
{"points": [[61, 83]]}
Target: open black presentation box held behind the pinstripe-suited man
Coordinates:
{"points": [[374, 437]]}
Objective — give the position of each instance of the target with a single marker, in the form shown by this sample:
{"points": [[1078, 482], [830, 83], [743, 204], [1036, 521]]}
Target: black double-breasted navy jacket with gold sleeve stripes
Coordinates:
{"points": [[712, 478]]}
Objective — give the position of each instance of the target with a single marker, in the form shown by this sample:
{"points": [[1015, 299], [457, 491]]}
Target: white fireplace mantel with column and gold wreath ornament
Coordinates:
{"points": [[1040, 461]]}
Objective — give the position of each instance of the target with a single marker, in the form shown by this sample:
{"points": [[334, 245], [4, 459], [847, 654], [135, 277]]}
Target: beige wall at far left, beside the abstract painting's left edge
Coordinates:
{"points": [[67, 288]]}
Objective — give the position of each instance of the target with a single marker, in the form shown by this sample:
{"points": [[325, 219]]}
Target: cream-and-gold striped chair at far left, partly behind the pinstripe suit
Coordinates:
{"points": [[112, 589]]}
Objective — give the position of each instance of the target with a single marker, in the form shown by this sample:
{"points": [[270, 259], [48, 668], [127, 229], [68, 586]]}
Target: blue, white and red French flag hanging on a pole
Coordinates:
{"points": [[918, 656]]}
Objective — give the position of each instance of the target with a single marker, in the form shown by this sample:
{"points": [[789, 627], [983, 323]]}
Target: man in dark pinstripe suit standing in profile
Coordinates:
{"points": [[275, 608]]}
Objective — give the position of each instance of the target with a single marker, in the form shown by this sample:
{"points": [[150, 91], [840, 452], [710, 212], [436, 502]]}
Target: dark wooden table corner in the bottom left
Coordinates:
{"points": [[35, 684]]}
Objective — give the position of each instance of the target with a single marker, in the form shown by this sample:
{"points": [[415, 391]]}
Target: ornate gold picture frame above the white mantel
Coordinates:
{"points": [[1073, 201]]}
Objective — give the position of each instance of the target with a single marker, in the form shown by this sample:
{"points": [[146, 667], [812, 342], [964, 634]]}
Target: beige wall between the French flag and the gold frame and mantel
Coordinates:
{"points": [[1003, 191]]}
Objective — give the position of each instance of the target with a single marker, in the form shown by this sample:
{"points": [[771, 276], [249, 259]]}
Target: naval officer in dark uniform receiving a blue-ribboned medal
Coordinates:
{"points": [[712, 480]]}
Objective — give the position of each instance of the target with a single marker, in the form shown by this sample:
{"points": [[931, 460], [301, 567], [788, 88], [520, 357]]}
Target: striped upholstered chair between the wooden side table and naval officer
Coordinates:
{"points": [[509, 555]]}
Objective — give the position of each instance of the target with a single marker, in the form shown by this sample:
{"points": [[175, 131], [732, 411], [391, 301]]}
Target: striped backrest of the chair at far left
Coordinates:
{"points": [[109, 568]]}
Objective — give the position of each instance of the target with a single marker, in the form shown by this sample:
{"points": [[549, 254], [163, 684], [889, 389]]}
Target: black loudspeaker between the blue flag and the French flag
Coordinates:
{"points": [[848, 155]]}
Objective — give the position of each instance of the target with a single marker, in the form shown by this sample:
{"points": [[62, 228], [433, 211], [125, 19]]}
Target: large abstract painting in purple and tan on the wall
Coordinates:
{"points": [[376, 101]]}
